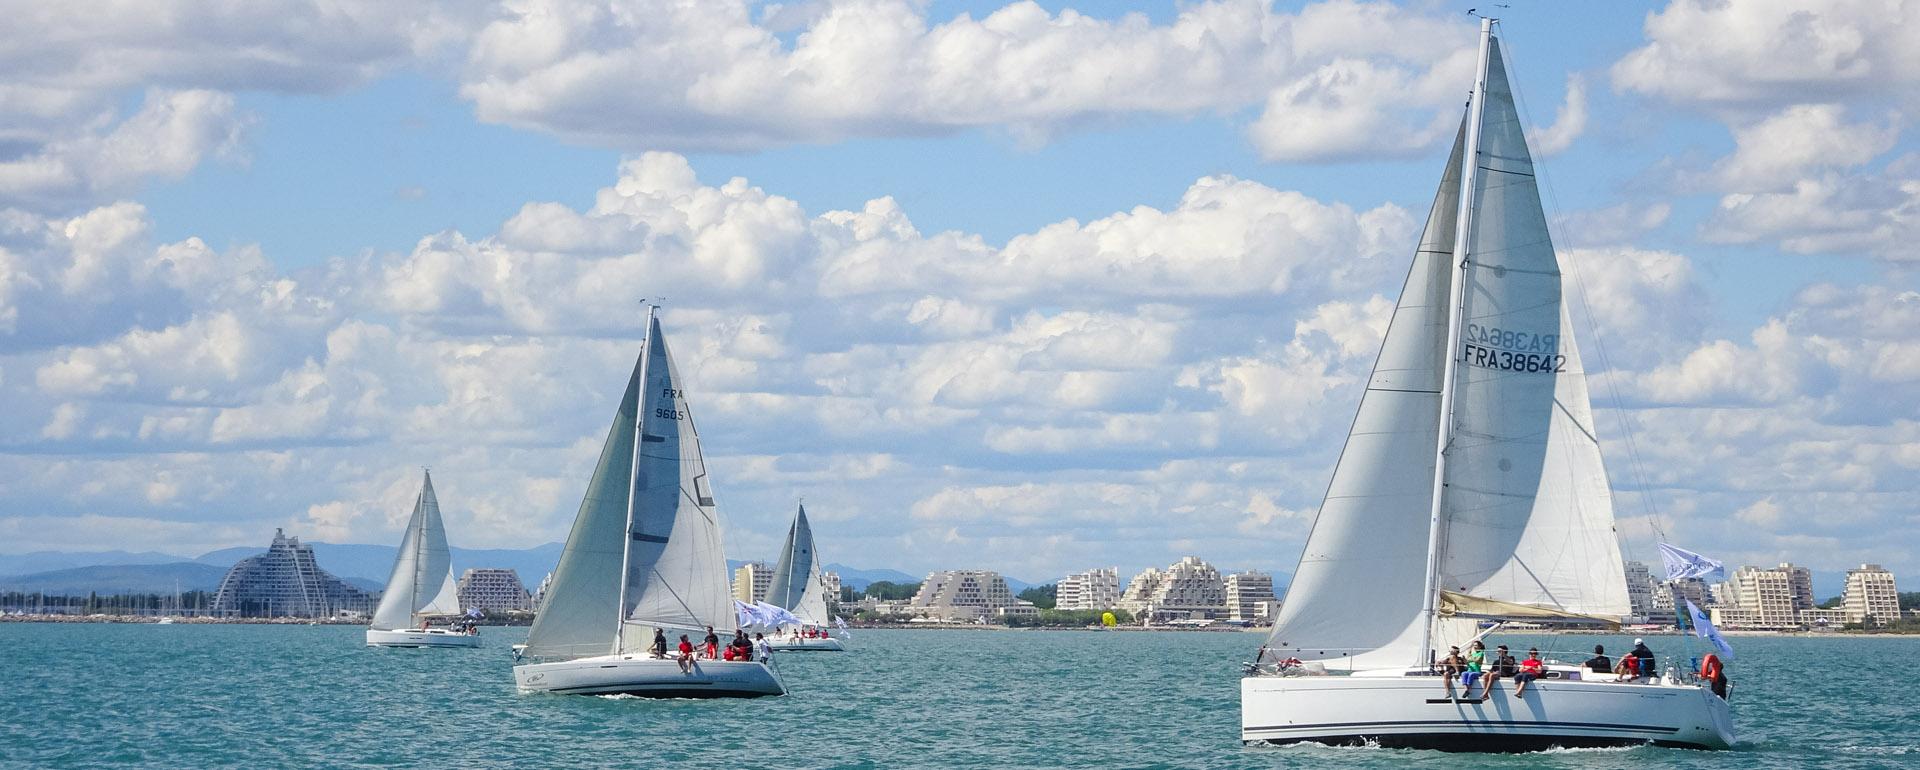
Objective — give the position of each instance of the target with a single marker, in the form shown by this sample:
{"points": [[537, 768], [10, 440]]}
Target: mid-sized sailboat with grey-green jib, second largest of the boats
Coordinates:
{"points": [[644, 558]]}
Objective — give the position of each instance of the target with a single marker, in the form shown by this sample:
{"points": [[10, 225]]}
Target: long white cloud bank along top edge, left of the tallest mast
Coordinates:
{"points": [[711, 76]]}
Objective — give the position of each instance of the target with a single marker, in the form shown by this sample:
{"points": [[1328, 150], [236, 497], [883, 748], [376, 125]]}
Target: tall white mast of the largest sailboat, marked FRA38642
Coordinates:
{"points": [[1456, 306]]}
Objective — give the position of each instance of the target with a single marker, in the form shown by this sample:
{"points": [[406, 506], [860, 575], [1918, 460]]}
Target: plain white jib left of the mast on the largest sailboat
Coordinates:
{"points": [[1356, 594]]}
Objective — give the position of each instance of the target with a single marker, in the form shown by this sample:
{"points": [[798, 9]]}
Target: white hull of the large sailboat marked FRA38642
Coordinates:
{"points": [[1401, 710]]}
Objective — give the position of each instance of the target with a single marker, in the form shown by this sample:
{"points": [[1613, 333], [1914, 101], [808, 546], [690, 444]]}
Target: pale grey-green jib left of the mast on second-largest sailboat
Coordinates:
{"points": [[583, 600]]}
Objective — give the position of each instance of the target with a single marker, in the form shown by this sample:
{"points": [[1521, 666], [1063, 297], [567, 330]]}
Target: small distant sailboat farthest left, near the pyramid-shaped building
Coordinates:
{"points": [[421, 585]]}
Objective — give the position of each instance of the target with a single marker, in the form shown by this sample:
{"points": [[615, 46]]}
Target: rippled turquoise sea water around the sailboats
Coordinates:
{"points": [[314, 696]]}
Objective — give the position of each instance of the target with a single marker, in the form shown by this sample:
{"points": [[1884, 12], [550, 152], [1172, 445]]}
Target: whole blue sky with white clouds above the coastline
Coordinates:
{"points": [[1020, 287]]}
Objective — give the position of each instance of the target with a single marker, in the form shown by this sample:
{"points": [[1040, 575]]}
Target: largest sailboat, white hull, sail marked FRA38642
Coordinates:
{"points": [[1472, 491]]}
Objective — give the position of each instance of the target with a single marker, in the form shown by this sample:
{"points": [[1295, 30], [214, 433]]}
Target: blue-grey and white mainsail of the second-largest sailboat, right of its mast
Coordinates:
{"points": [[677, 567]]}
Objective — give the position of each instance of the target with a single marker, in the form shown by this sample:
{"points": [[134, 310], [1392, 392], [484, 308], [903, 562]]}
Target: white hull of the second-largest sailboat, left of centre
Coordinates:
{"points": [[648, 677]]}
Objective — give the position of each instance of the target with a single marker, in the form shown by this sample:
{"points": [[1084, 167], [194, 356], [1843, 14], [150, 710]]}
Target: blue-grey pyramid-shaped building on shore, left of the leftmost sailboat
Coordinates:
{"points": [[287, 583]]}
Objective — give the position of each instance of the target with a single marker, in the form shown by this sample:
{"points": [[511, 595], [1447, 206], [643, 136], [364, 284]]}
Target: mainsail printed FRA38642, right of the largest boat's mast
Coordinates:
{"points": [[1527, 510]]}
